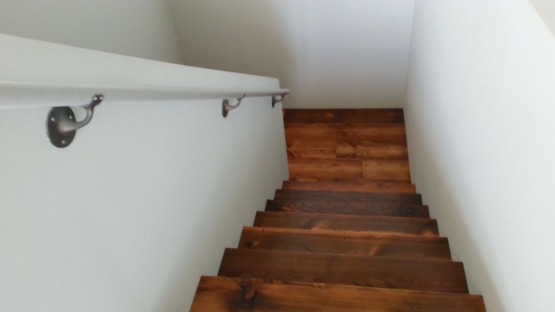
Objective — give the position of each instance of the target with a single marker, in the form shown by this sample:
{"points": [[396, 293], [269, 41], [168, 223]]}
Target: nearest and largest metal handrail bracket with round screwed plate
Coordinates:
{"points": [[62, 126]]}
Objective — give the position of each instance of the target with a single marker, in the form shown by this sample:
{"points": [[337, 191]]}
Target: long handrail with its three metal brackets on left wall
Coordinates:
{"points": [[61, 121]]}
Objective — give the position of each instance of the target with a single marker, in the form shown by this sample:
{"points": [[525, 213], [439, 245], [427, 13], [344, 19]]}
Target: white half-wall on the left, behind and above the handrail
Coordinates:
{"points": [[143, 201]]}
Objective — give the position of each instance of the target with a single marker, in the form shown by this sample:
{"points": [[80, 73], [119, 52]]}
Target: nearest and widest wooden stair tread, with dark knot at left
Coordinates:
{"points": [[222, 294]]}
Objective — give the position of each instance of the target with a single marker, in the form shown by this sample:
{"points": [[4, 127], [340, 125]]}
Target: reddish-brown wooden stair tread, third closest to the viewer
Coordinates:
{"points": [[346, 242]]}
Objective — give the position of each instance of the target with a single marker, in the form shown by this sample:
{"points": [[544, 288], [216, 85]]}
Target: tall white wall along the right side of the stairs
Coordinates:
{"points": [[482, 143]]}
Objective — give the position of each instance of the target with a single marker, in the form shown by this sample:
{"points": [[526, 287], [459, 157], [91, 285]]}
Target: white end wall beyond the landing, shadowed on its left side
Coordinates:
{"points": [[351, 53]]}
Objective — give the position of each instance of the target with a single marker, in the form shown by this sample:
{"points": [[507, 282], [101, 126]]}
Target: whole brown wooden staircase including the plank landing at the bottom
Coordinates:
{"points": [[347, 232]]}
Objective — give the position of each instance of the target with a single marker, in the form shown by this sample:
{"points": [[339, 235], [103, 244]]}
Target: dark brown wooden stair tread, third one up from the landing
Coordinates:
{"points": [[352, 207]]}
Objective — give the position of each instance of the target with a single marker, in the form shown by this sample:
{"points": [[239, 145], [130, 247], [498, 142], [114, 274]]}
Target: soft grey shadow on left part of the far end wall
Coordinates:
{"points": [[226, 35]]}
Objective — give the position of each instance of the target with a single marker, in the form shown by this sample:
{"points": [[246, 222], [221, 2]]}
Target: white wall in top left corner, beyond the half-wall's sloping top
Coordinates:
{"points": [[141, 28]]}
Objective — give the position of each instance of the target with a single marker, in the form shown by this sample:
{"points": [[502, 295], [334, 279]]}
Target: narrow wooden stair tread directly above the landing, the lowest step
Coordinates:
{"points": [[357, 185]]}
